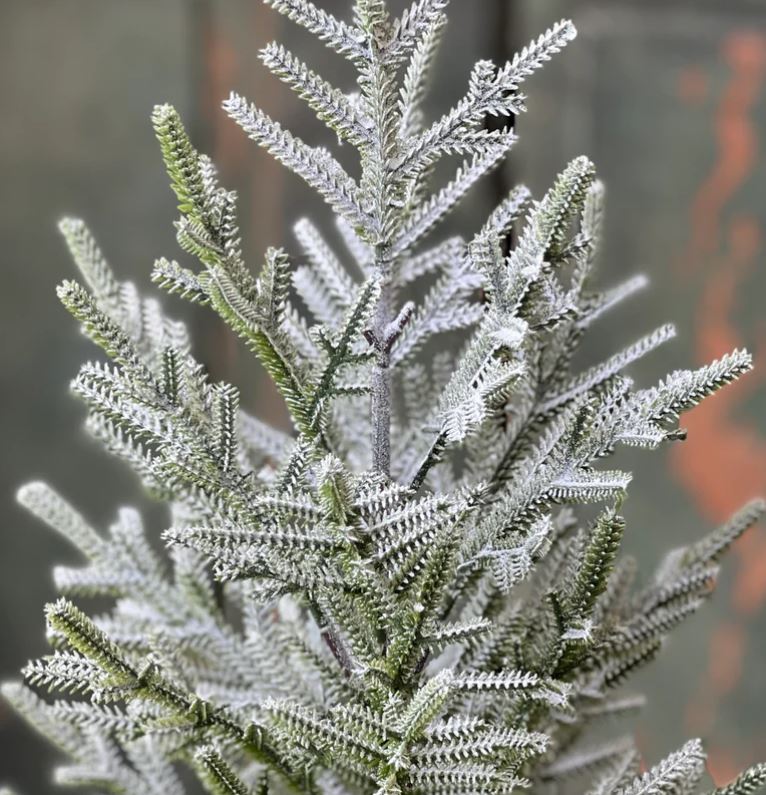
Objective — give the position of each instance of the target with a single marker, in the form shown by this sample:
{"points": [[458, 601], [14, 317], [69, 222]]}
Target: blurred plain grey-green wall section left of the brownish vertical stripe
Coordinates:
{"points": [[77, 81]]}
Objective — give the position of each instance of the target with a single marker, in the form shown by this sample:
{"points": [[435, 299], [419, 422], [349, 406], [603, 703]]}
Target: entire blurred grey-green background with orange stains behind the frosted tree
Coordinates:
{"points": [[667, 96]]}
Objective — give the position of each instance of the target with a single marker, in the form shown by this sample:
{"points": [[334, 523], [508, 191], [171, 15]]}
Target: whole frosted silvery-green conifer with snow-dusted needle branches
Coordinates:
{"points": [[398, 596]]}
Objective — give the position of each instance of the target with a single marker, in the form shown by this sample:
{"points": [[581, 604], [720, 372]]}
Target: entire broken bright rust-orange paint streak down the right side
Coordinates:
{"points": [[737, 453]]}
